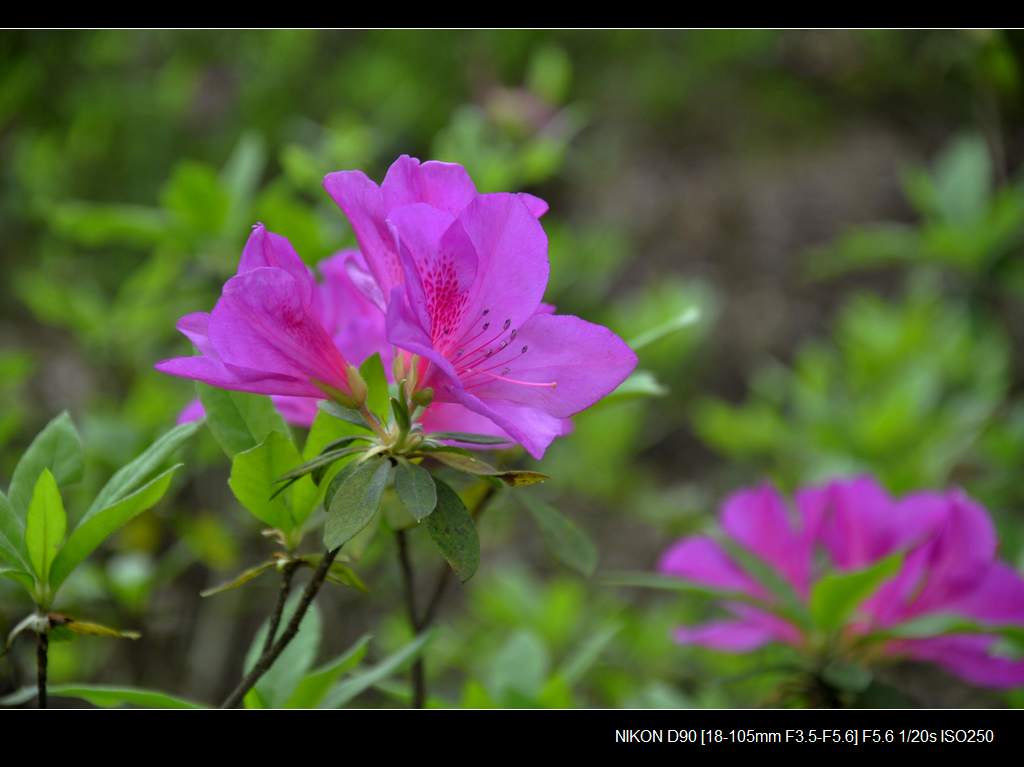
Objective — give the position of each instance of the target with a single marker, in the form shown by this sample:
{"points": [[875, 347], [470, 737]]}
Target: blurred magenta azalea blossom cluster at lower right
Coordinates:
{"points": [[949, 601]]}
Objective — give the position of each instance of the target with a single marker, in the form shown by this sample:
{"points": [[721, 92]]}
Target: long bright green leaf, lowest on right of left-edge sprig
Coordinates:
{"points": [[98, 526]]}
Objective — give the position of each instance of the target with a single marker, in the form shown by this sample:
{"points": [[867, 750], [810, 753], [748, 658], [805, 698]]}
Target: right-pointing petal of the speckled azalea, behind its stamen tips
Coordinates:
{"points": [[557, 363]]}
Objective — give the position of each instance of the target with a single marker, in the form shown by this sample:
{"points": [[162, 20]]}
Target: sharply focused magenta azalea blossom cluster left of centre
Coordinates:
{"points": [[447, 285]]}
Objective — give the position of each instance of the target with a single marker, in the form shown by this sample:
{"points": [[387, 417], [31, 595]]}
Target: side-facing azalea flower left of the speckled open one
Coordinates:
{"points": [[275, 331]]}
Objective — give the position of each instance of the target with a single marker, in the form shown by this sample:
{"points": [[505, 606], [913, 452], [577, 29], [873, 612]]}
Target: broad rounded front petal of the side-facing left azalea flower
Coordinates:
{"points": [[265, 323]]}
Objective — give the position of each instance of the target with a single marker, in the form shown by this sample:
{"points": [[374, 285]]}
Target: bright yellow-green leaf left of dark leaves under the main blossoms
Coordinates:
{"points": [[253, 481]]}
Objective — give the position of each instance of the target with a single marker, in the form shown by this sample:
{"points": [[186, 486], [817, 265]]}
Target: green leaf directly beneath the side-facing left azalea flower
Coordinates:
{"points": [[240, 421]]}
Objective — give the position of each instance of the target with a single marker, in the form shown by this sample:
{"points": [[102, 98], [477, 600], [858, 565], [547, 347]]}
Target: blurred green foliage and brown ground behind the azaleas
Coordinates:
{"points": [[843, 209]]}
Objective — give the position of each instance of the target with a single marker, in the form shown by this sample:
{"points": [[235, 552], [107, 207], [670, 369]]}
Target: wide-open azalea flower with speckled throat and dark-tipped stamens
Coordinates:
{"points": [[460, 277]]}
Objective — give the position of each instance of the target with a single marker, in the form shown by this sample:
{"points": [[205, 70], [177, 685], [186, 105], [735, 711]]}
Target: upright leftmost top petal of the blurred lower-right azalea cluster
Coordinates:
{"points": [[759, 520]]}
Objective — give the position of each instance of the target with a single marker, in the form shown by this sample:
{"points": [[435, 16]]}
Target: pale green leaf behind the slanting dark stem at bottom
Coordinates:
{"points": [[283, 678]]}
